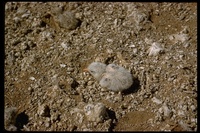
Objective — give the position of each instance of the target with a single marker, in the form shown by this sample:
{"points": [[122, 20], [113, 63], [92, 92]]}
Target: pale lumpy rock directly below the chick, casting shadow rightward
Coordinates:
{"points": [[96, 112]]}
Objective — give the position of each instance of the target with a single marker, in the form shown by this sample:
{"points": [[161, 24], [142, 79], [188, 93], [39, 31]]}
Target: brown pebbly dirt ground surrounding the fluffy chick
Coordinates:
{"points": [[48, 44]]}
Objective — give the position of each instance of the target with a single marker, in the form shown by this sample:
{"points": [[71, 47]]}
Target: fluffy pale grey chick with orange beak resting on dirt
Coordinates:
{"points": [[112, 77]]}
